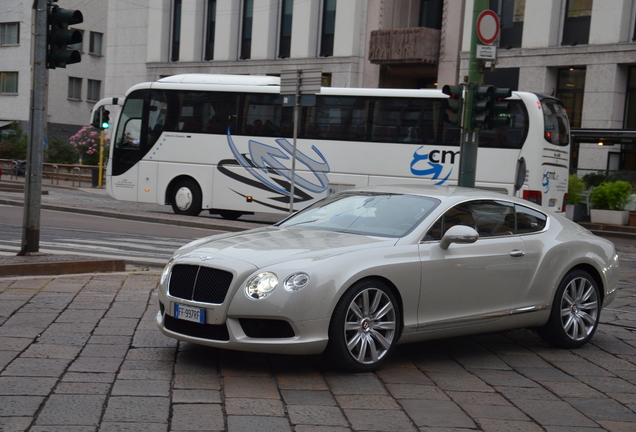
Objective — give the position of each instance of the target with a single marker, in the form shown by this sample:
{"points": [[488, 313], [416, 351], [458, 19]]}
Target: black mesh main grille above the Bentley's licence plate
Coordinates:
{"points": [[202, 284]]}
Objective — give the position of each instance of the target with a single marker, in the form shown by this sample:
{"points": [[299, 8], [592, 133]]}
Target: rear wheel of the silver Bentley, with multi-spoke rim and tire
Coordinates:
{"points": [[576, 311]]}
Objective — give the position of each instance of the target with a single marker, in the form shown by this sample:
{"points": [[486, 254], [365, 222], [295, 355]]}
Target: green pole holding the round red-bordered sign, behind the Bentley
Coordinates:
{"points": [[470, 143]]}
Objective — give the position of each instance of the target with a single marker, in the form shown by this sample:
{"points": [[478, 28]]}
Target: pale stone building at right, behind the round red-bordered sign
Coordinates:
{"points": [[584, 53]]}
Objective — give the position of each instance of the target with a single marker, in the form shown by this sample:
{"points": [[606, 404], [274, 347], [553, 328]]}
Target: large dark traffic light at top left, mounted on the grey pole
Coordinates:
{"points": [[59, 37]]}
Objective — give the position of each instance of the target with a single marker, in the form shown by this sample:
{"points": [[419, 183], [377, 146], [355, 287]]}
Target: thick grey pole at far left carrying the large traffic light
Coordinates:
{"points": [[37, 125]]}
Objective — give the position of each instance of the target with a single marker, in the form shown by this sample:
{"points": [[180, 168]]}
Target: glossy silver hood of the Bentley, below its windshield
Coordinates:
{"points": [[265, 246]]}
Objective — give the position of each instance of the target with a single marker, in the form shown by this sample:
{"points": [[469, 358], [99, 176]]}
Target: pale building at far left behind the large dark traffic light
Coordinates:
{"points": [[73, 90]]}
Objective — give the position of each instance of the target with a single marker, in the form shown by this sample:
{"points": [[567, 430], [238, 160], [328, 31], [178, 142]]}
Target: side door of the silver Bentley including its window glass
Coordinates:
{"points": [[469, 284]]}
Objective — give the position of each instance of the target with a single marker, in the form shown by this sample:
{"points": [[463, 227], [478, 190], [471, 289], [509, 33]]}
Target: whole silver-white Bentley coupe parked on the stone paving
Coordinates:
{"points": [[365, 269]]}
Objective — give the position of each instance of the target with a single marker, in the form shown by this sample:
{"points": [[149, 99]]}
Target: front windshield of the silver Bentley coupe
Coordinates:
{"points": [[374, 214]]}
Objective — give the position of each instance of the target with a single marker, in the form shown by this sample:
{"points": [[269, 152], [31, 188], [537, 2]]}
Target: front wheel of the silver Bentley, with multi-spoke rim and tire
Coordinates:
{"points": [[365, 327]]}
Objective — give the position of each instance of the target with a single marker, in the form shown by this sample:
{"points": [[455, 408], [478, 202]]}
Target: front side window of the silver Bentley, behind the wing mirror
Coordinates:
{"points": [[488, 217]]}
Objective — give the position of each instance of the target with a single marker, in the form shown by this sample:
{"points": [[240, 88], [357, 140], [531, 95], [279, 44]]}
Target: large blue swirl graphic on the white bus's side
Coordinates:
{"points": [[266, 158]]}
